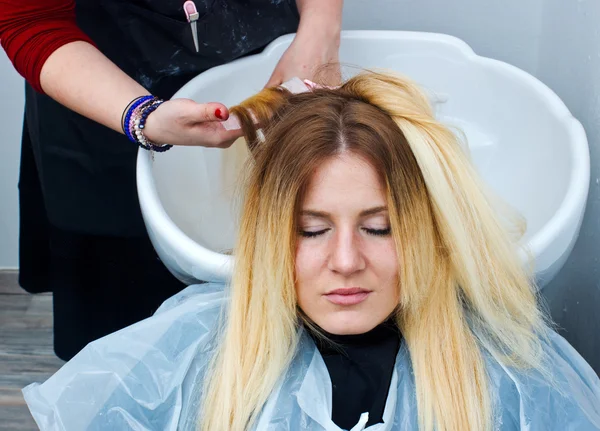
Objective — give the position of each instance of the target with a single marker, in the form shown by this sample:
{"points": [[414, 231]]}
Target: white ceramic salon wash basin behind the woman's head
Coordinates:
{"points": [[523, 140]]}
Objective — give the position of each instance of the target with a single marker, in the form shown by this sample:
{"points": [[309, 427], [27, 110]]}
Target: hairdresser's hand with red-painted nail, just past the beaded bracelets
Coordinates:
{"points": [[185, 122]]}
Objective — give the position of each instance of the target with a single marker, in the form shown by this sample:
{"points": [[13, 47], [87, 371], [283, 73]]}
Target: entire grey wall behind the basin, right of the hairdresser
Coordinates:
{"points": [[558, 41]]}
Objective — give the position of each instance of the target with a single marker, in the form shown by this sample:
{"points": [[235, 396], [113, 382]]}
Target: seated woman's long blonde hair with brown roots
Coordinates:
{"points": [[462, 286]]}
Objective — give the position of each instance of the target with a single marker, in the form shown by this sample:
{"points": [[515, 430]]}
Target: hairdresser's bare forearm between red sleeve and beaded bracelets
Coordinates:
{"points": [[80, 77]]}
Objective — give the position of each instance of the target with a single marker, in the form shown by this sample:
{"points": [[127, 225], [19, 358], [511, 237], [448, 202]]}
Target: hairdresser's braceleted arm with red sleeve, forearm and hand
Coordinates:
{"points": [[47, 47]]}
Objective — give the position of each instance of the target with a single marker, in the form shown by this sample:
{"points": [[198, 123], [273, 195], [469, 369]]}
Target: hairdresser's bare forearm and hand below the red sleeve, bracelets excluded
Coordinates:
{"points": [[80, 77]]}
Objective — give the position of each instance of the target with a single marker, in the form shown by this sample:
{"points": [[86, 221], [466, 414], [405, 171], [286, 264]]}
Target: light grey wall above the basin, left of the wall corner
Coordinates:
{"points": [[507, 30]]}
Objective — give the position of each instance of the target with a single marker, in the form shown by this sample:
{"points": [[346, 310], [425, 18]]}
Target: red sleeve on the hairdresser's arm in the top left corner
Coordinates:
{"points": [[31, 30]]}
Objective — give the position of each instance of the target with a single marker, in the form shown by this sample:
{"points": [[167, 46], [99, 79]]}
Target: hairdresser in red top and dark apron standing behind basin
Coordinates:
{"points": [[97, 73]]}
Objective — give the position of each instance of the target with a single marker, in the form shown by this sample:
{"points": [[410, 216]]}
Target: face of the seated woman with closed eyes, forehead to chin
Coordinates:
{"points": [[346, 262]]}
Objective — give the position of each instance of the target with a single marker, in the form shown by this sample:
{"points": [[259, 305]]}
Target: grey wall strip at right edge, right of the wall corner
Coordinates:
{"points": [[569, 63]]}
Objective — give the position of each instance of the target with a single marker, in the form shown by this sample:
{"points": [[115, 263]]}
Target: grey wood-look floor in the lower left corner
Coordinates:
{"points": [[26, 354]]}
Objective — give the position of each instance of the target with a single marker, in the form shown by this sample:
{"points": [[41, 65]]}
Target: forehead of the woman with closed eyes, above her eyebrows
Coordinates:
{"points": [[344, 181]]}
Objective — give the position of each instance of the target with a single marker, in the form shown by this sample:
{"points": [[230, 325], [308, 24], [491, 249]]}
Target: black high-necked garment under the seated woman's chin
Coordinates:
{"points": [[360, 367]]}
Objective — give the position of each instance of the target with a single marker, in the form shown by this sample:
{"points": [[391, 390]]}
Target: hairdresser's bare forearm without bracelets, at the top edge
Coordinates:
{"points": [[321, 18]]}
